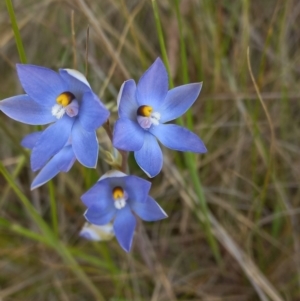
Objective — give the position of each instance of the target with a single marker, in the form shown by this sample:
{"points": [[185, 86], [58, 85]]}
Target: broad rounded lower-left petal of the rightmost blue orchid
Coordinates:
{"points": [[128, 135]]}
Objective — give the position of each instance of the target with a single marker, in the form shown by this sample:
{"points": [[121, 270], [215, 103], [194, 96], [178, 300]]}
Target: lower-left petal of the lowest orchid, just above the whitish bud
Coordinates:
{"points": [[97, 216]]}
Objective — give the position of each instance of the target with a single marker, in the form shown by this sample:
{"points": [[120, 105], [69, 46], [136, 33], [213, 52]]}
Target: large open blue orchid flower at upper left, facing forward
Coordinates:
{"points": [[64, 99]]}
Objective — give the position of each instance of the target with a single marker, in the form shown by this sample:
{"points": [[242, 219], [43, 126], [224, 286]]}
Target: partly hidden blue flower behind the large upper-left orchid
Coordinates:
{"points": [[61, 162]]}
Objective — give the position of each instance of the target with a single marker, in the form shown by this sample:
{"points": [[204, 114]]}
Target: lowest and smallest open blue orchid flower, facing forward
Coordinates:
{"points": [[118, 196]]}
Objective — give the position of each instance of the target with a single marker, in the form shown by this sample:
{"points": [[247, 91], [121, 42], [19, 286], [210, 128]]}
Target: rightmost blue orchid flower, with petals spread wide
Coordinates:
{"points": [[143, 111]]}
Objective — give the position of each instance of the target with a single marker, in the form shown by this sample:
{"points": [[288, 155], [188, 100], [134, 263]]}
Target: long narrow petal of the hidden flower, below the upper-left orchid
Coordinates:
{"points": [[65, 158]]}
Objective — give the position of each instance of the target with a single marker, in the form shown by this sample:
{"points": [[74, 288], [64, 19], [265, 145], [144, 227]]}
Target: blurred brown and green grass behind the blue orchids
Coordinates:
{"points": [[250, 175]]}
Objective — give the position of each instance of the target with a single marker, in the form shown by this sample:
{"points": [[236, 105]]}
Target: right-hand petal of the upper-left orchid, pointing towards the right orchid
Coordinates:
{"points": [[92, 113]]}
